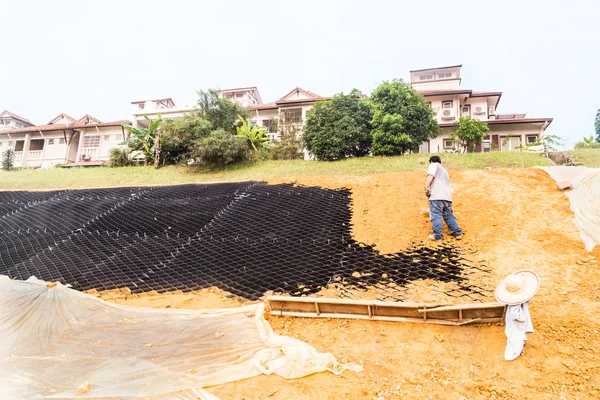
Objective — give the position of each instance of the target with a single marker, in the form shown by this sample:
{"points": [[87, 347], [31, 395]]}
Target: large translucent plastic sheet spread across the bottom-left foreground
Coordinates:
{"points": [[54, 339]]}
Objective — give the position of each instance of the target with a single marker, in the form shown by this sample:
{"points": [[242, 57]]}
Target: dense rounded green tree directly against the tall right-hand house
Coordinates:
{"points": [[402, 120]]}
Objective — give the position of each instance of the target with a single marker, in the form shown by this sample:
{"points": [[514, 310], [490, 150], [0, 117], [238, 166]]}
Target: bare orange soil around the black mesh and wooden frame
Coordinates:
{"points": [[513, 219]]}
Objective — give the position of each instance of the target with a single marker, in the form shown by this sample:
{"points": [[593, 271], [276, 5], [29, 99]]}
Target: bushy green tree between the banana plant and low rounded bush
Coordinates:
{"points": [[180, 136]]}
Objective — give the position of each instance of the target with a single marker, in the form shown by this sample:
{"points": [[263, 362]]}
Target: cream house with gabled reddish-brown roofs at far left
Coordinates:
{"points": [[64, 140]]}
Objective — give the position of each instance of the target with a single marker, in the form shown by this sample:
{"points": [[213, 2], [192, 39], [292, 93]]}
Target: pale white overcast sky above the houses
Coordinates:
{"points": [[96, 57]]}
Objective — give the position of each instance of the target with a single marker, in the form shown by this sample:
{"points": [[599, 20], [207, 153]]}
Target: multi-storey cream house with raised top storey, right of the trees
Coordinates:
{"points": [[442, 89]]}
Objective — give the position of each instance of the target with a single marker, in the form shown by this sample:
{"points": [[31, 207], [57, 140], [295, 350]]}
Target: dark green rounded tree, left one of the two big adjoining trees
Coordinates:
{"points": [[339, 128]]}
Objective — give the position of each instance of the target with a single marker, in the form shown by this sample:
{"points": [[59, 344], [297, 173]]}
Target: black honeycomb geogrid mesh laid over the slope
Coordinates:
{"points": [[246, 238]]}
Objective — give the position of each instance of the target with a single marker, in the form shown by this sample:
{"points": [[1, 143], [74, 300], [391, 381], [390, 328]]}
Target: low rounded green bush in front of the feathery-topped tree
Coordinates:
{"points": [[222, 148]]}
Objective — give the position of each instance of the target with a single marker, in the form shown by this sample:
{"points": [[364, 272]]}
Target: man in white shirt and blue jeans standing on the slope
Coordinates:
{"points": [[437, 189]]}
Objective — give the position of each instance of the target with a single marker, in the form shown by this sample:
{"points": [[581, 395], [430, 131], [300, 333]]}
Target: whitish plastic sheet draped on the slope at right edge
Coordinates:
{"points": [[584, 198]]}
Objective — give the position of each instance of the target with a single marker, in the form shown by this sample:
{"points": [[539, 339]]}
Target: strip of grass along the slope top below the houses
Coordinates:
{"points": [[79, 178]]}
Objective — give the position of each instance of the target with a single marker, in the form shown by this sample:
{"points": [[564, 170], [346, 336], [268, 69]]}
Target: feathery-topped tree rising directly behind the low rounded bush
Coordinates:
{"points": [[222, 113]]}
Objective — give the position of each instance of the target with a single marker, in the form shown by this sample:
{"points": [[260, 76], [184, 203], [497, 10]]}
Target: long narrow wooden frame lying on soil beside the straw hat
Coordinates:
{"points": [[375, 310]]}
